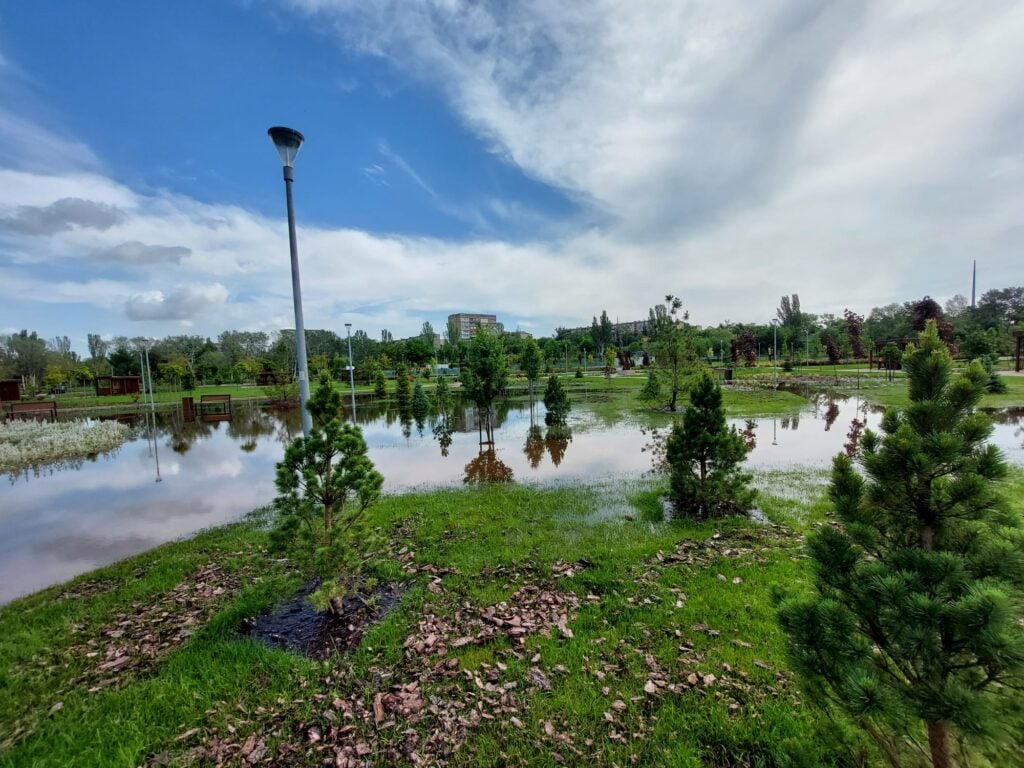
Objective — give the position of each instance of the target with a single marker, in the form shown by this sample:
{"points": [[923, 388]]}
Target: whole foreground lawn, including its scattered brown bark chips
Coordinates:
{"points": [[666, 653]]}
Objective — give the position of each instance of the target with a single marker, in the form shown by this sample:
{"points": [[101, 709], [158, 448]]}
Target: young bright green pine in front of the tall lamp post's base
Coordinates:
{"points": [[325, 484]]}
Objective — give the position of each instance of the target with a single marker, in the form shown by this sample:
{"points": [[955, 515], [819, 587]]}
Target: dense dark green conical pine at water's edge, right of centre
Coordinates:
{"points": [[704, 457]]}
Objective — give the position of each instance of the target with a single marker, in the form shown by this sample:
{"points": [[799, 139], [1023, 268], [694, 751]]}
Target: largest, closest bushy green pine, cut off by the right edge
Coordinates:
{"points": [[912, 627]]}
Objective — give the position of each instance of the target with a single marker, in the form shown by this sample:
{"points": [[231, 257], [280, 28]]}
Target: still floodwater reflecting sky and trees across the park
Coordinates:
{"points": [[62, 521]]}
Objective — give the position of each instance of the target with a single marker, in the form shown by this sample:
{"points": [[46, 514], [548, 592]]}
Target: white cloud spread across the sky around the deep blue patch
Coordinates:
{"points": [[733, 152]]}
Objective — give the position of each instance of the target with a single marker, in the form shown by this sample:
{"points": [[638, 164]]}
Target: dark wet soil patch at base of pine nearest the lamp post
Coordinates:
{"points": [[298, 627]]}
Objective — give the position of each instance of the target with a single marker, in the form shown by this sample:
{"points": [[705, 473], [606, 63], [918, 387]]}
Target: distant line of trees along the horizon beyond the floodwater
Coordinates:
{"points": [[237, 357]]}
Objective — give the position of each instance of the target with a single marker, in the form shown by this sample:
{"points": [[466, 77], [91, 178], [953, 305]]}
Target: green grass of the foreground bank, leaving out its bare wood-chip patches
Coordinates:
{"points": [[218, 679]]}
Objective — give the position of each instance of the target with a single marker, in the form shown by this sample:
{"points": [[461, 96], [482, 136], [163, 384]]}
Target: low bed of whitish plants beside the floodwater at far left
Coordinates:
{"points": [[28, 444]]}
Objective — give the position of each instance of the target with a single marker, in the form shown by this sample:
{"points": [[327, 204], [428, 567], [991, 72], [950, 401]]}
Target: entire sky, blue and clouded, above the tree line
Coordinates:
{"points": [[541, 160]]}
